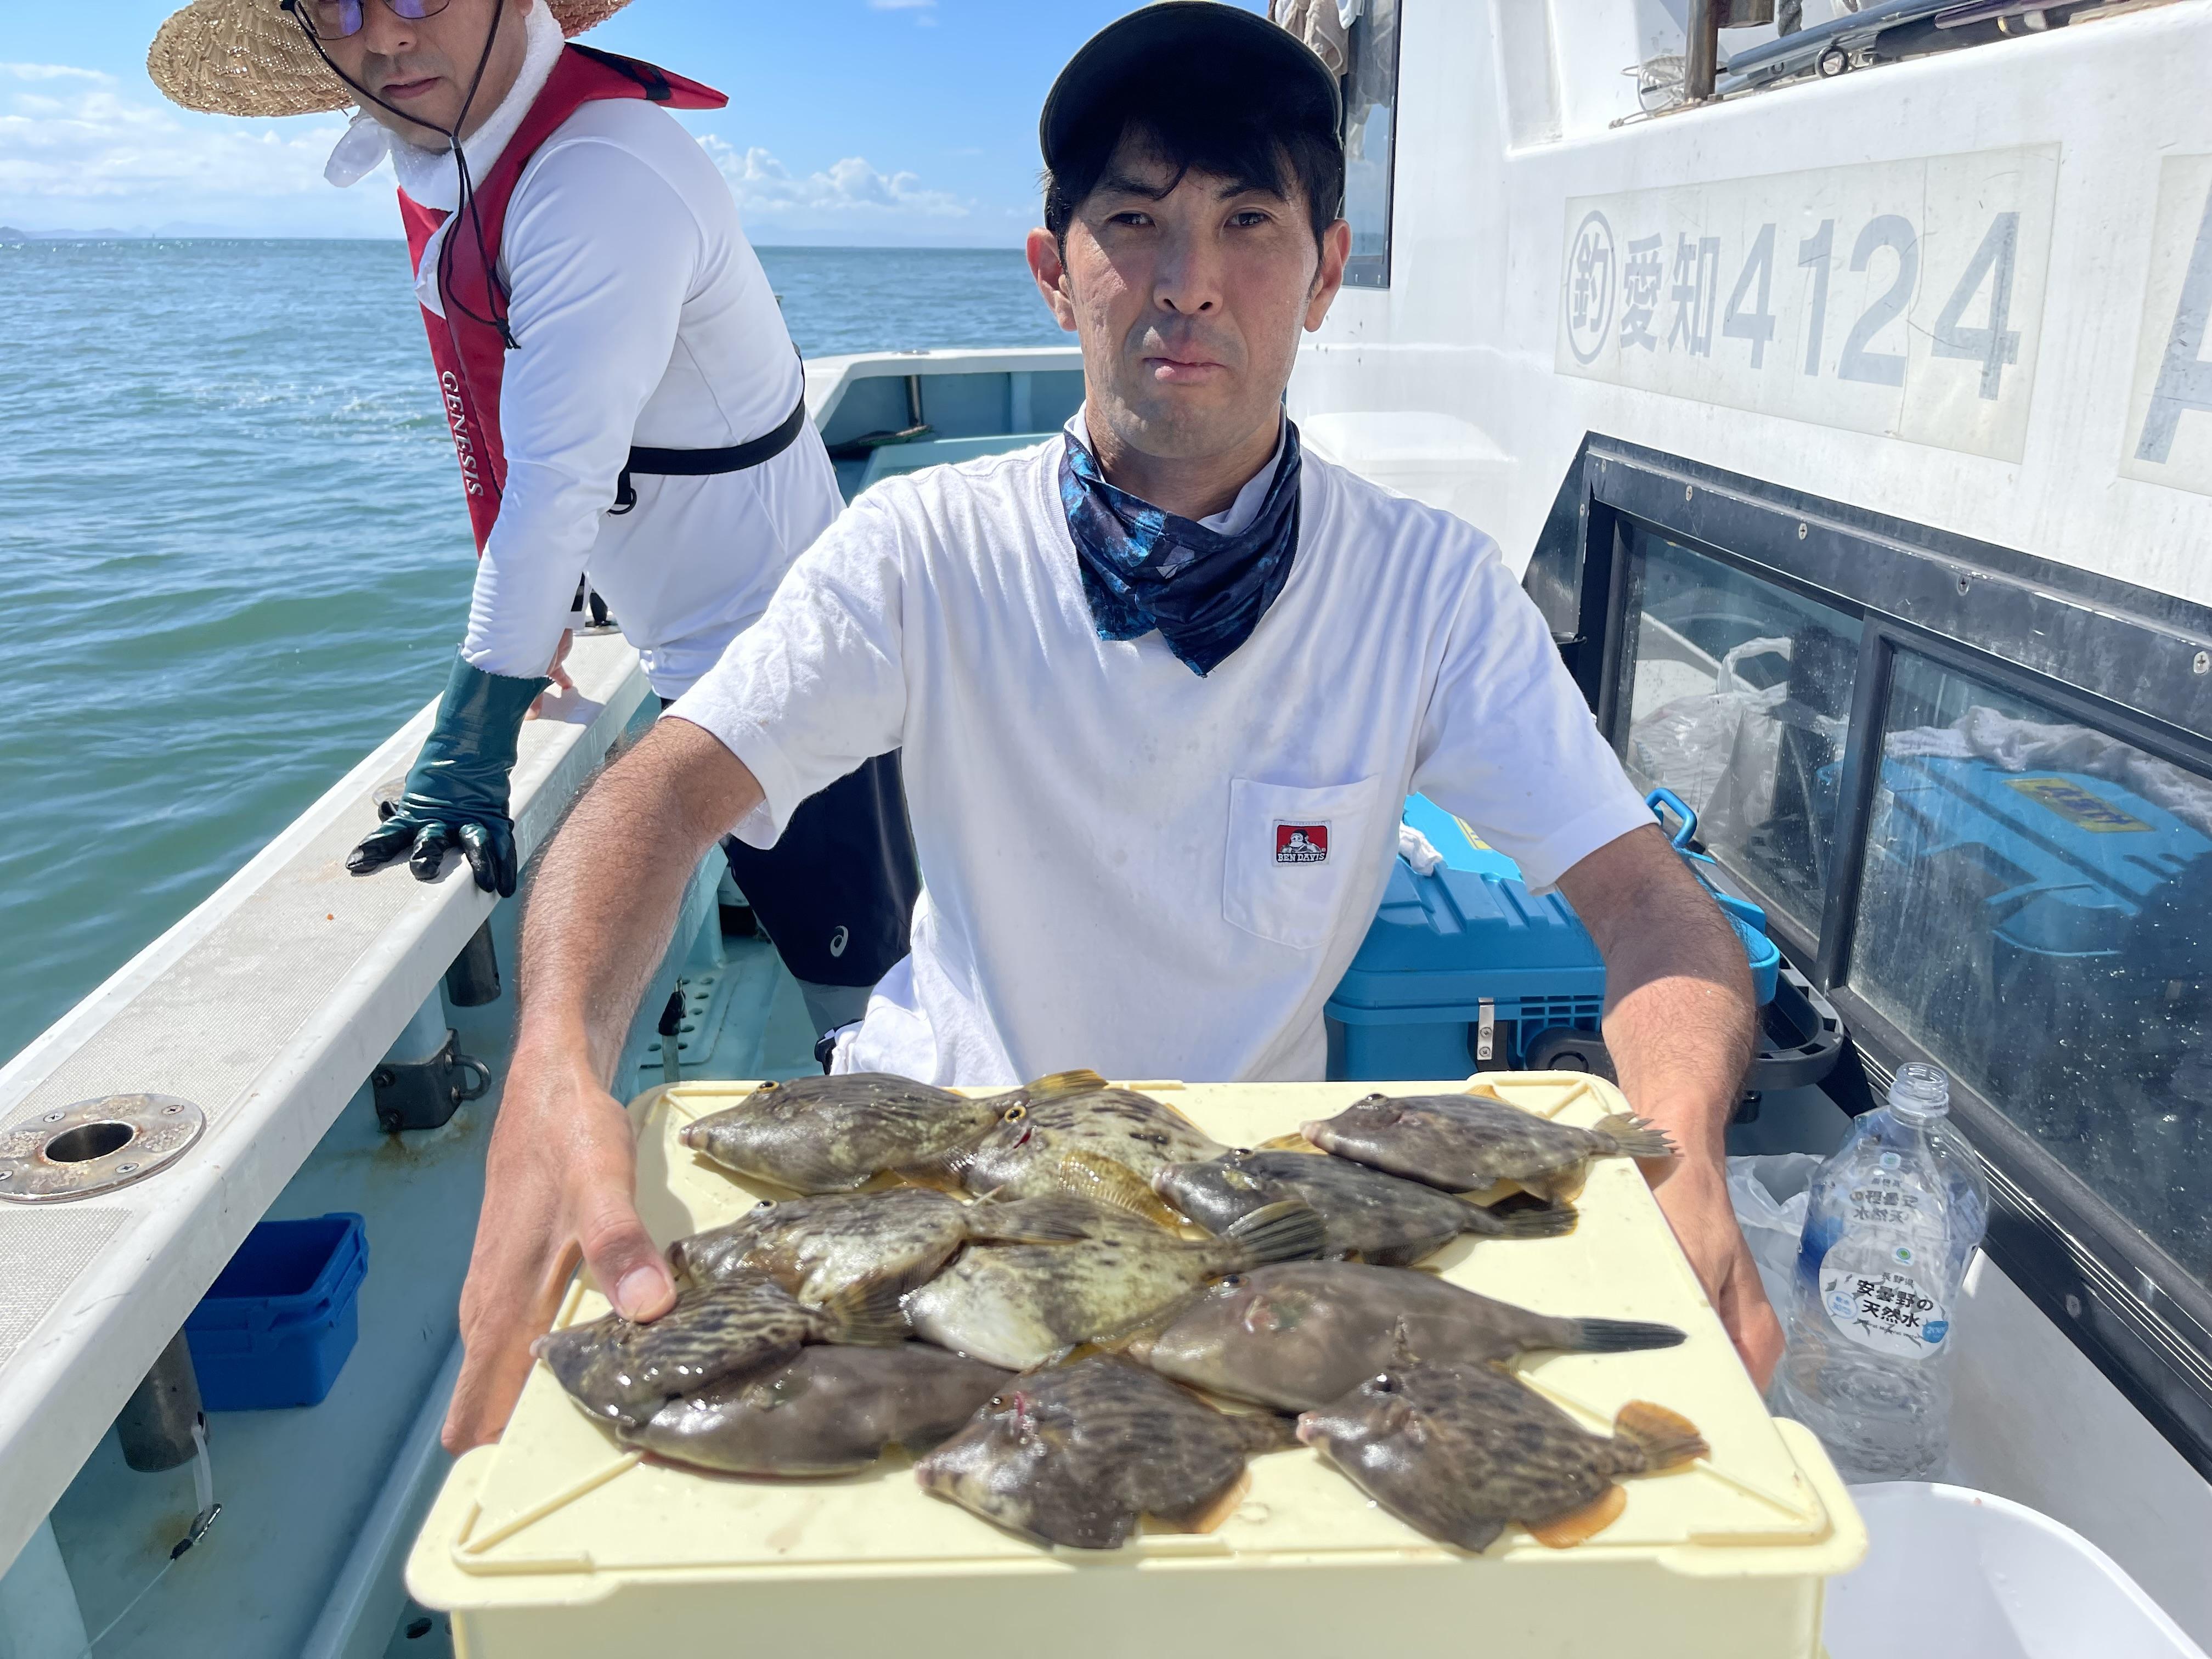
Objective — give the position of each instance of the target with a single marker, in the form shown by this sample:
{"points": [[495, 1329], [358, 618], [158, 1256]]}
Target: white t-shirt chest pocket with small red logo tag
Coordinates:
{"points": [[1291, 855]]}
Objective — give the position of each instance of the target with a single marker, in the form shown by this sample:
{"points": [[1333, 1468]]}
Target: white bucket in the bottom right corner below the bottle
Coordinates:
{"points": [[1959, 1574]]}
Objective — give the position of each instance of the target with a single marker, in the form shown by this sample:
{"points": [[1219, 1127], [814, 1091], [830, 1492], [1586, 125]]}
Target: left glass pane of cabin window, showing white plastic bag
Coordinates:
{"points": [[1738, 698]]}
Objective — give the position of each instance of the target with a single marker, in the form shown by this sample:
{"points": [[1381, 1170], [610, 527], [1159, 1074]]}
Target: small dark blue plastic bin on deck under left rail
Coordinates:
{"points": [[282, 1317]]}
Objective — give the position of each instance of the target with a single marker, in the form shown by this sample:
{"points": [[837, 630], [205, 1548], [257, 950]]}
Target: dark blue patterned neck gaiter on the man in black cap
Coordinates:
{"points": [[1149, 570]]}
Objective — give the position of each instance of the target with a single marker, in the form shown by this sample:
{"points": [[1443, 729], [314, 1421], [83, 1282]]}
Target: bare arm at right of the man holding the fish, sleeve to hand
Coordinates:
{"points": [[1680, 1027]]}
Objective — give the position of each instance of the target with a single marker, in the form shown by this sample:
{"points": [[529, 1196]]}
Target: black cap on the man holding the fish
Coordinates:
{"points": [[1238, 48]]}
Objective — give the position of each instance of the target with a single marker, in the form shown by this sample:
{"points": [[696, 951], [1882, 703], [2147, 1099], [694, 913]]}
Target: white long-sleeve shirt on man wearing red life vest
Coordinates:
{"points": [[643, 320]]}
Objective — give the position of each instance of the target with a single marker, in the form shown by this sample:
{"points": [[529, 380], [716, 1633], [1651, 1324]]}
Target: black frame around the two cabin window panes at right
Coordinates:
{"points": [[2091, 649]]}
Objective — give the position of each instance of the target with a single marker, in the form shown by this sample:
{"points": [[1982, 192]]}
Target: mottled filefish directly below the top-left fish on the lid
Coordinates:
{"points": [[826, 1244]]}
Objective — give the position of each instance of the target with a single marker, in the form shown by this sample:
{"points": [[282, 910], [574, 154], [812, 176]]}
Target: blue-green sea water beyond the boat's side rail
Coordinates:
{"points": [[233, 552]]}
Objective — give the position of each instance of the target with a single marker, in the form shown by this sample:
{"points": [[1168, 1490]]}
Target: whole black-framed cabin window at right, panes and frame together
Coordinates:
{"points": [[1974, 793]]}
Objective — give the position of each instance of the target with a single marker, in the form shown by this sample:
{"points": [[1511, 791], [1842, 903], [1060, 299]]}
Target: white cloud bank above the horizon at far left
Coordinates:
{"points": [[79, 152]]}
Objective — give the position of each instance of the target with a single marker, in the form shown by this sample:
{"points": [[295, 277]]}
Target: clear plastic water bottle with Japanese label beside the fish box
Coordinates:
{"points": [[1890, 1227]]}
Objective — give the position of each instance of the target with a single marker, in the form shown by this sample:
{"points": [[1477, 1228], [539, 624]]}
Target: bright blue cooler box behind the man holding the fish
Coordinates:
{"points": [[1472, 932]]}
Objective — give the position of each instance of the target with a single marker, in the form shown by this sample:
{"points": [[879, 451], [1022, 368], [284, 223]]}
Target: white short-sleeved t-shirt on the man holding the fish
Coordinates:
{"points": [[1127, 866]]}
